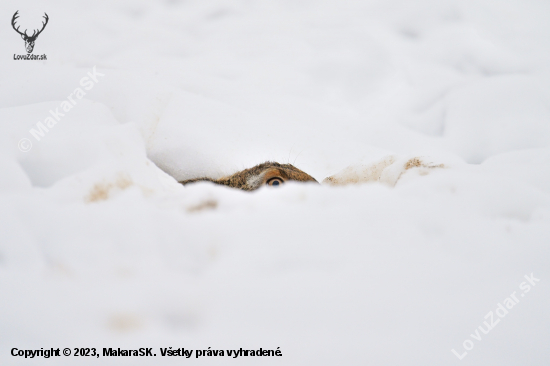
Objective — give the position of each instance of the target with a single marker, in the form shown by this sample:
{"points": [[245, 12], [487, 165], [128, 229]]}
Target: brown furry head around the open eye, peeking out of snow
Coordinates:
{"points": [[256, 177]]}
